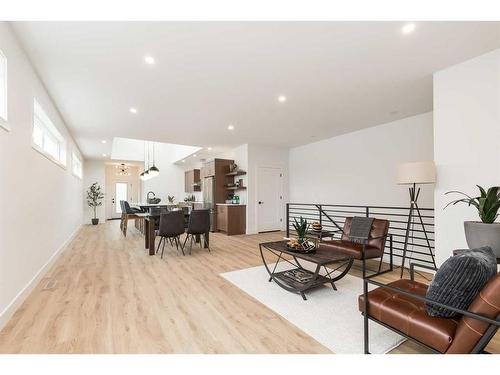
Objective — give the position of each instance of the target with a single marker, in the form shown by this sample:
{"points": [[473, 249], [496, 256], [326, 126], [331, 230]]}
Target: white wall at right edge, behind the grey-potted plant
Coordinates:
{"points": [[466, 141]]}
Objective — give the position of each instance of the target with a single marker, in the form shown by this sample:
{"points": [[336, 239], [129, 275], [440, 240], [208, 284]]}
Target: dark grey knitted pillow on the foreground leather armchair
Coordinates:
{"points": [[457, 282]]}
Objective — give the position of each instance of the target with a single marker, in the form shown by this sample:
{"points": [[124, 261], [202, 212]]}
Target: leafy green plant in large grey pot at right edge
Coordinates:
{"points": [[485, 232]]}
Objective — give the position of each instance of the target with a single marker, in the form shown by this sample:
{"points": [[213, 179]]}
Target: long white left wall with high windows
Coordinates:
{"points": [[41, 202]]}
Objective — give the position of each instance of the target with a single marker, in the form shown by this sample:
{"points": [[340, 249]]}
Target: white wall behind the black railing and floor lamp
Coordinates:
{"points": [[360, 167]]}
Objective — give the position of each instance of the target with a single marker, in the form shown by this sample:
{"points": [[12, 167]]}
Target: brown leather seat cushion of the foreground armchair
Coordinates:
{"points": [[409, 315]]}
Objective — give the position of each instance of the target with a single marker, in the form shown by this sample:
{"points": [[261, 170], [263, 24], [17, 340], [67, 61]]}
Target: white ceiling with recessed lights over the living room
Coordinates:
{"points": [[337, 76]]}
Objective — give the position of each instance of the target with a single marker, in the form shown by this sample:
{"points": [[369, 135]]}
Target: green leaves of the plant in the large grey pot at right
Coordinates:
{"points": [[487, 204]]}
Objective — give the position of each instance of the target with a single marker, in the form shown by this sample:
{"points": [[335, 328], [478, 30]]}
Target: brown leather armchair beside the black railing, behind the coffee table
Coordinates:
{"points": [[372, 248]]}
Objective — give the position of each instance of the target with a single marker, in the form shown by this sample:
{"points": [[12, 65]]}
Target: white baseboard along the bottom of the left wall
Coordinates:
{"points": [[12, 307]]}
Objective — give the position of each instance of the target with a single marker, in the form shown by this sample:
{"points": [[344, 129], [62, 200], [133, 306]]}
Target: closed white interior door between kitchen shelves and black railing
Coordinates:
{"points": [[269, 199]]}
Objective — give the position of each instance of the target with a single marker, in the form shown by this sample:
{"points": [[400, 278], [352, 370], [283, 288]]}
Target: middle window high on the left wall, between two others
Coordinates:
{"points": [[46, 137]]}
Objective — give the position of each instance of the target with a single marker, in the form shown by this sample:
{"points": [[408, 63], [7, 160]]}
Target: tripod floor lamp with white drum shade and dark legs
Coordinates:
{"points": [[415, 174]]}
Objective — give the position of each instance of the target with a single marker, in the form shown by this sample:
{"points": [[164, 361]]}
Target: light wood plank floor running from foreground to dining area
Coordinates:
{"points": [[111, 297]]}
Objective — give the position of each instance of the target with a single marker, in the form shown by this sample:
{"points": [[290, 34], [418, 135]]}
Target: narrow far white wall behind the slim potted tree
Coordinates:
{"points": [[94, 171]]}
